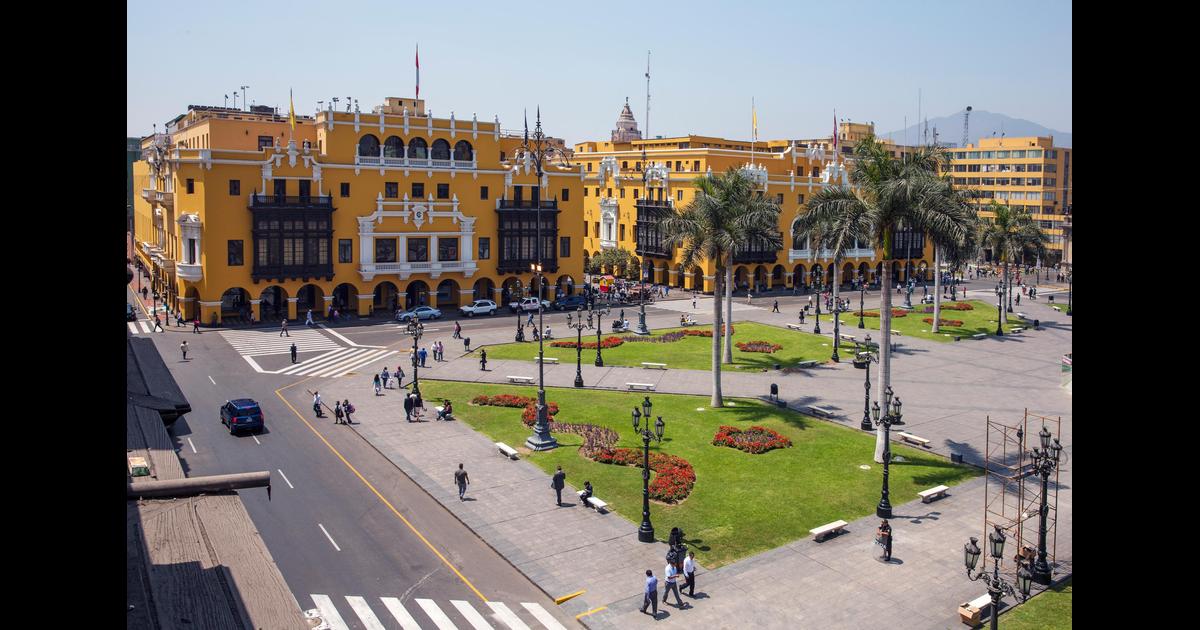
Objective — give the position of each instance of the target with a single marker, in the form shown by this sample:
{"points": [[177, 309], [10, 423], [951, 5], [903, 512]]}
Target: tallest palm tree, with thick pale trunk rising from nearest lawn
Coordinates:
{"points": [[890, 195]]}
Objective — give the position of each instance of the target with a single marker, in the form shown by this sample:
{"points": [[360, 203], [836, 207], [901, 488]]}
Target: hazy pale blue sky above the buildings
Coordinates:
{"points": [[580, 61]]}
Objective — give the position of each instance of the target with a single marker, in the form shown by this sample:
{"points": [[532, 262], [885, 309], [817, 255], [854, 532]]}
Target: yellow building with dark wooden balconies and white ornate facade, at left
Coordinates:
{"points": [[238, 215]]}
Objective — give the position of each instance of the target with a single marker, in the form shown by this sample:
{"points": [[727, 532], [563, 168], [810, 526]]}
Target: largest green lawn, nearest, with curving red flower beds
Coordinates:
{"points": [[742, 505]]}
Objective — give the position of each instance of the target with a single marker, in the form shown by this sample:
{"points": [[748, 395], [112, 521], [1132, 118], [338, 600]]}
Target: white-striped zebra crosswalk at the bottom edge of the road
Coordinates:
{"points": [[496, 616]]}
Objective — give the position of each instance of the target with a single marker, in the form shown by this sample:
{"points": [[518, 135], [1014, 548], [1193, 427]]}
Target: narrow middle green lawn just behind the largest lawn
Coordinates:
{"points": [[693, 353]]}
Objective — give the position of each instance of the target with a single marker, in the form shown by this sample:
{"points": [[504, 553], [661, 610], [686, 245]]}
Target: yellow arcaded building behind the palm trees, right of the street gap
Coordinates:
{"points": [[620, 214]]}
